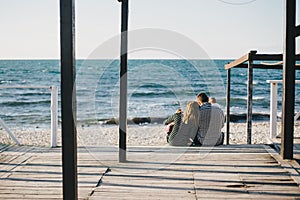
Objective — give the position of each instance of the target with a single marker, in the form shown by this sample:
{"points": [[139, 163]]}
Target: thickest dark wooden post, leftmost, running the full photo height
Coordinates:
{"points": [[68, 99]]}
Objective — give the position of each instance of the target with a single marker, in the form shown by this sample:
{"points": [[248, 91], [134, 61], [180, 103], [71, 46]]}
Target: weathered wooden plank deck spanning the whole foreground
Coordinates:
{"points": [[225, 172]]}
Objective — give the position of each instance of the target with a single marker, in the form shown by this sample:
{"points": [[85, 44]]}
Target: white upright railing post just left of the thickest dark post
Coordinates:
{"points": [[54, 115]]}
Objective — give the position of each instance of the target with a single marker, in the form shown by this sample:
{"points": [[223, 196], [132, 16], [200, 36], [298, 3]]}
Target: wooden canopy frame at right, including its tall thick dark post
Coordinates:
{"points": [[286, 62]]}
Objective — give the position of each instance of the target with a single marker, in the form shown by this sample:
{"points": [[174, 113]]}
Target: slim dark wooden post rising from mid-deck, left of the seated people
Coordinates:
{"points": [[123, 83]]}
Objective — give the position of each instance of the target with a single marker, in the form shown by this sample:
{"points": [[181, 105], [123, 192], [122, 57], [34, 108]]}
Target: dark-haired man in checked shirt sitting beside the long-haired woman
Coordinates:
{"points": [[211, 121]]}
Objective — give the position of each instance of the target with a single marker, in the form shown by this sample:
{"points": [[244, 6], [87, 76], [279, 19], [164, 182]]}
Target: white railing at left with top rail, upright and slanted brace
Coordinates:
{"points": [[53, 108]]}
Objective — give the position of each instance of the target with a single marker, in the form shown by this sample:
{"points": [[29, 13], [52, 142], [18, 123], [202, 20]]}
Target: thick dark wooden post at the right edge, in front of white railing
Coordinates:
{"points": [[288, 94]]}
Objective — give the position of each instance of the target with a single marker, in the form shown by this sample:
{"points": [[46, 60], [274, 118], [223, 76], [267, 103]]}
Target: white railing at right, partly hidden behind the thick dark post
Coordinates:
{"points": [[273, 106]]}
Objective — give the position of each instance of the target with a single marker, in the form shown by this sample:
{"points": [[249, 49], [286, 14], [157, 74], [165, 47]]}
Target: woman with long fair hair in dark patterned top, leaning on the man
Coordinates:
{"points": [[185, 130]]}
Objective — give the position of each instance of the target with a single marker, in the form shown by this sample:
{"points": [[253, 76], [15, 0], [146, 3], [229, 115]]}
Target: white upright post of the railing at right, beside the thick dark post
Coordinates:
{"points": [[273, 110]]}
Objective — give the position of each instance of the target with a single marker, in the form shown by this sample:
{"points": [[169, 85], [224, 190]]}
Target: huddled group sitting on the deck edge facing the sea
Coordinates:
{"points": [[200, 125]]}
